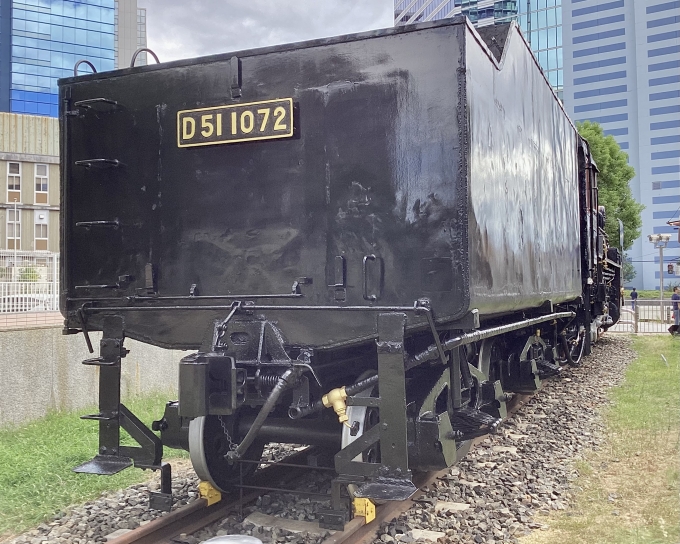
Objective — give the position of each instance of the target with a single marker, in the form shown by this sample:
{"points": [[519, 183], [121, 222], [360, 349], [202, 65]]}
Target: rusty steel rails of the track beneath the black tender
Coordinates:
{"points": [[200, 513]]}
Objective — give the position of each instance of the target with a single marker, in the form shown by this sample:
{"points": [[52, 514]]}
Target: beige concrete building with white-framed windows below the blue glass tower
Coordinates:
{"points": [[29, 174]]}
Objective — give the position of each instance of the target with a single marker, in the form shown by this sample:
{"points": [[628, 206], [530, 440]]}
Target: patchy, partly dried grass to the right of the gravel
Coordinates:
{"points": [[629, 488]]}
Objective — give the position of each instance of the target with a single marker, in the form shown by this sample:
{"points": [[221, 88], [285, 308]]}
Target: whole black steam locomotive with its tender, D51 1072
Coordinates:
{"points": [[369, 243]]}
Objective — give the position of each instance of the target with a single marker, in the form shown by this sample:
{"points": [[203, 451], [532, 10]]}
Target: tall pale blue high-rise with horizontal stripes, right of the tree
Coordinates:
{"points": [[622, 69]]}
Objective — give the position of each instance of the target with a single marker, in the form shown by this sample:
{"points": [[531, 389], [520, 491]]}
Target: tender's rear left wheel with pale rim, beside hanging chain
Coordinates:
{"points": [[210, 438]]}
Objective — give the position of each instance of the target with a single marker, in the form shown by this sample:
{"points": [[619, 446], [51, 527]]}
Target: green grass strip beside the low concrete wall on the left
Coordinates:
{"points": [[36, 462]]}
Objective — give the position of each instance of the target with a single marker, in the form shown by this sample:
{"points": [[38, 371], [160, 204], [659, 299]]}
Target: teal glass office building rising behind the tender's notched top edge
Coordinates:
{"points": [[540, 21]]}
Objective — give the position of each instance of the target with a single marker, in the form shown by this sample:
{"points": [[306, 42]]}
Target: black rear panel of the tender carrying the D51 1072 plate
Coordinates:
{"points": [[366, 193]]}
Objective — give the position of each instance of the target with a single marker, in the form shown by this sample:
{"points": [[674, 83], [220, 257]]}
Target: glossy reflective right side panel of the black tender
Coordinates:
{"points": [[523, 220]]}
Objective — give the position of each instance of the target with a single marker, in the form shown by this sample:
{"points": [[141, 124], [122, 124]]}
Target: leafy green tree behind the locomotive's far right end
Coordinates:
{"points": [[614, 192]]}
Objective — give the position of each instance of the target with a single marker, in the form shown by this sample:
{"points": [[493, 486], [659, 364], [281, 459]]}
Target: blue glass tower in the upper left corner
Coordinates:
{"points": [[41, 40]]}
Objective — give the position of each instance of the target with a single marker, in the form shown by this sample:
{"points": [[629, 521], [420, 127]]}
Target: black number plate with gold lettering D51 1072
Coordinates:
{"points": [[264, 120]]}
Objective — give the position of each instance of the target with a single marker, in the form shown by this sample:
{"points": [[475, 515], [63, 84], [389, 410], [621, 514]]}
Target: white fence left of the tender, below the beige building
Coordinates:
{"points": [[29, 281]]}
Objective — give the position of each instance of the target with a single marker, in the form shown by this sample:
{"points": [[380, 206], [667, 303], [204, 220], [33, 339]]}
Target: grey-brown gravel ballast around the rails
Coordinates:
{"points": [[490, 496]]}
